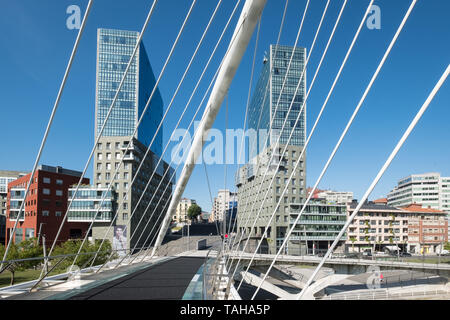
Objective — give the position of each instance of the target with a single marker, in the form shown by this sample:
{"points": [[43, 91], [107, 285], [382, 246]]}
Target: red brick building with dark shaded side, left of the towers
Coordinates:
{"points": [[45, 206]]}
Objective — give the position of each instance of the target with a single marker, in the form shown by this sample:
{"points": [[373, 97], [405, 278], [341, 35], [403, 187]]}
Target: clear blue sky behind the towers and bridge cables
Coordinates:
{"points": [[35, 45]]}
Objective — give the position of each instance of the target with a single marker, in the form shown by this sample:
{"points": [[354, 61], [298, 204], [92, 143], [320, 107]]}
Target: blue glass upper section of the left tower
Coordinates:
{"points": [[114, 50]]}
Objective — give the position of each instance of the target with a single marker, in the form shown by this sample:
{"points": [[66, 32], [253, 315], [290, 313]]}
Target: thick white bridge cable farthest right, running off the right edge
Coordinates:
{"points": [[378, 177]]}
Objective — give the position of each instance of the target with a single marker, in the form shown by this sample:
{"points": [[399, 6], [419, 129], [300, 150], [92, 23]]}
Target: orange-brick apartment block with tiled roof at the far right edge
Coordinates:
{"points": [[427, 229]]}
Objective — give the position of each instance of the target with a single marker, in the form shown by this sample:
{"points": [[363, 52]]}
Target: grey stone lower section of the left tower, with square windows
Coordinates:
{"points": [[152, 201]]}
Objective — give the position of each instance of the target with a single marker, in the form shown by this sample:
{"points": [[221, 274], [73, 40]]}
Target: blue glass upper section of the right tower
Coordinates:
{"points": [[264, 101]]}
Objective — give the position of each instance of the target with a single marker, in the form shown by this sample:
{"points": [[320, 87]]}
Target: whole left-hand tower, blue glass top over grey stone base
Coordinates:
{"points": [[114, 50]]}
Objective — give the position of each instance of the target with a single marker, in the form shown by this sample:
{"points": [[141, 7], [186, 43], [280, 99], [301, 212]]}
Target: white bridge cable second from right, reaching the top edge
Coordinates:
{"points": [[340, 140]]}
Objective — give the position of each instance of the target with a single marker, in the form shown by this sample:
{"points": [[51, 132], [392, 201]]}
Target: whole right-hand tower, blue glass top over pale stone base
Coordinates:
{"points": [[268, 111]]}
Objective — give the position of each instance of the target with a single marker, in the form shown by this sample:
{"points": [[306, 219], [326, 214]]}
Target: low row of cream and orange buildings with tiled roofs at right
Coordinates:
{"points": [[380, 227]]}
